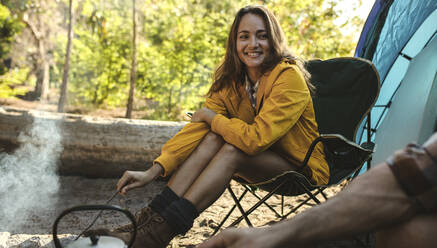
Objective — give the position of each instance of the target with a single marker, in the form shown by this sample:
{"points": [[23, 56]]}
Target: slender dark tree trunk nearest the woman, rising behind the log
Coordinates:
{"points": [[133, 66]]}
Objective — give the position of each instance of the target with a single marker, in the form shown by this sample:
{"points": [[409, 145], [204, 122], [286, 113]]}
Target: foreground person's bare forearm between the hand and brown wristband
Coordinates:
{"points": [[371, 201]]}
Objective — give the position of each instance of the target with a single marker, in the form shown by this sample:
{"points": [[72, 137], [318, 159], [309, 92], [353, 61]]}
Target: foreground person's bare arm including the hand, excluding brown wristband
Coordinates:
{"points": [[372, 201]]}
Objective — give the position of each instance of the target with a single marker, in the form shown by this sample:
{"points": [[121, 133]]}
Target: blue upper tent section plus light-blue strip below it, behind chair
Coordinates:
{"points": [[387, 41]]}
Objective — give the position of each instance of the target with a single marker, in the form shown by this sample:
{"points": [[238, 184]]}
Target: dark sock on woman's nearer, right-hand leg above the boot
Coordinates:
{"points": [[180, 215]]}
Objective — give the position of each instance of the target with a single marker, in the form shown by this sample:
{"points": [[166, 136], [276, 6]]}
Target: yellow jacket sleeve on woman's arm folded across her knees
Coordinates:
{"points": [[287, 101]]}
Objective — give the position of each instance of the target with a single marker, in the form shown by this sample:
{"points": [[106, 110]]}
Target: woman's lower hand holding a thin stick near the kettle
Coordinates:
{"points": [[135, 179]]}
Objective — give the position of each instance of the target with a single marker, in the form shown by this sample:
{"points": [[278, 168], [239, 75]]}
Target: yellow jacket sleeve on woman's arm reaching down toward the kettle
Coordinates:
{"points": [[178, 148]]}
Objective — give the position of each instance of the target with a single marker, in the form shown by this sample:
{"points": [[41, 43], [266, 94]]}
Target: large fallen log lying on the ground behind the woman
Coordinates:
{"points": [[92, 146]]}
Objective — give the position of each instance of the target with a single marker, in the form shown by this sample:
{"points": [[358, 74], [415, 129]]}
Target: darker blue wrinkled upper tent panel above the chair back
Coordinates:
{"points": [[389, 27]]}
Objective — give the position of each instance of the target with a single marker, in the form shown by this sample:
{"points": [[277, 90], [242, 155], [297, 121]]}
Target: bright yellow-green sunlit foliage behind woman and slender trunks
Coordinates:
{"points": [[179, 44]]}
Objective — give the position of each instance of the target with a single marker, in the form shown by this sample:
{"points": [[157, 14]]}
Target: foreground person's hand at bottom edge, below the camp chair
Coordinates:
{"points": [[240, 238]]}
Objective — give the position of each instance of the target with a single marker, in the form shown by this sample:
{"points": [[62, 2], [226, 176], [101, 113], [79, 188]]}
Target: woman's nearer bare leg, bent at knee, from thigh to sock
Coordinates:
{"points": [[228, 161]]}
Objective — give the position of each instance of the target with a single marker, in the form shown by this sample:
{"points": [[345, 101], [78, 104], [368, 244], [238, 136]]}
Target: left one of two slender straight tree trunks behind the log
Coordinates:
{"points": [[64, 86]]}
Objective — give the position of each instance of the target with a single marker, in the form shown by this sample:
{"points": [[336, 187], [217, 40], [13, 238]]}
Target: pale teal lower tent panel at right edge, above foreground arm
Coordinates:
{"points": [[413, 112]]}
